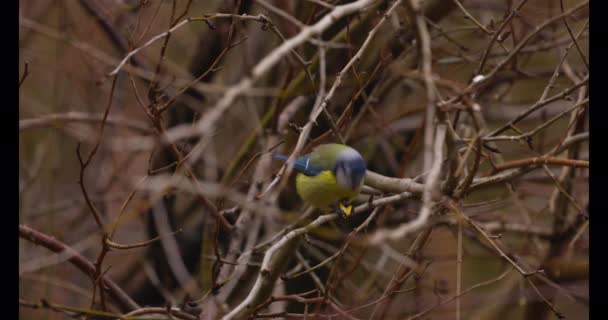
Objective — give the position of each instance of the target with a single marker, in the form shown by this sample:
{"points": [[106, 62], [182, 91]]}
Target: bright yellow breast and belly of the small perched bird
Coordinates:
{"points": [[322, 190]]}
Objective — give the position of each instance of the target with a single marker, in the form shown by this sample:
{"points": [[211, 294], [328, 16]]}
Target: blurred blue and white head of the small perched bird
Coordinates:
{"points": [[349, 169]]}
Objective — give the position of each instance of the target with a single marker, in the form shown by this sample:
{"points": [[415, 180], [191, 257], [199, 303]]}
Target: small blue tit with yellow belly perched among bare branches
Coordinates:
{"points": [[329, 177]]}
